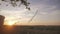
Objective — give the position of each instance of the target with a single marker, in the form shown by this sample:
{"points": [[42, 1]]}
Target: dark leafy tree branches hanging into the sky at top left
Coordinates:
{"points": [[14, 3]]}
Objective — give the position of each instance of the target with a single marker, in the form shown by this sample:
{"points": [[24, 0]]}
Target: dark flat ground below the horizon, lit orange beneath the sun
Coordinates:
{"points": [[30, 30]]}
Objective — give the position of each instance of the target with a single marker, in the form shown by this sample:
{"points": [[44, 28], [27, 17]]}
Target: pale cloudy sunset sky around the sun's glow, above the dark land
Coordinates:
{"points": [[48, 12]]}
